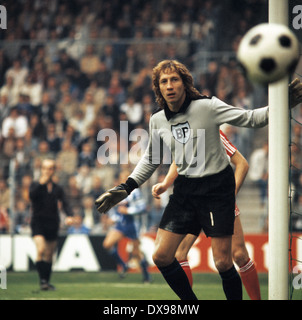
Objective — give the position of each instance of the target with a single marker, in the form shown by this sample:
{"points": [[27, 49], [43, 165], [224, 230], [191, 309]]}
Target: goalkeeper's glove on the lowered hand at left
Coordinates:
{"points": [[110, 198]]}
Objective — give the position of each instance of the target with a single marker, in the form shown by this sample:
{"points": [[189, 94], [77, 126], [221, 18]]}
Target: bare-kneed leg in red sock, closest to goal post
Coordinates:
{"points": [[247, 268]]}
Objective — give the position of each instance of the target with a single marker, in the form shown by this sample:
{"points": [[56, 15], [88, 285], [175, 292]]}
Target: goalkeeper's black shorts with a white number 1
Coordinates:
{"points": [[206, 204]]}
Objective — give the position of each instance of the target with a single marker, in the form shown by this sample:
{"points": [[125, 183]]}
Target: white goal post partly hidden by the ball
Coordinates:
{"points": [[278, 185]]}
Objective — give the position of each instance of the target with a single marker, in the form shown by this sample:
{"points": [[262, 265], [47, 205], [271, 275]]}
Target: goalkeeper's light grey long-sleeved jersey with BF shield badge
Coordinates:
{"points": [[191, 137]]}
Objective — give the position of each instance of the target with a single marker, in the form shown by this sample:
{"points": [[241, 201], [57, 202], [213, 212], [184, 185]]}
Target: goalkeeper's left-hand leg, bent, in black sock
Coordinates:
{"points": [[166, 244]]}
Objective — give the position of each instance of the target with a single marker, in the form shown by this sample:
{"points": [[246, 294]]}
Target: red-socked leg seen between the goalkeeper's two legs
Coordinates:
{"points": [[182, 255]]}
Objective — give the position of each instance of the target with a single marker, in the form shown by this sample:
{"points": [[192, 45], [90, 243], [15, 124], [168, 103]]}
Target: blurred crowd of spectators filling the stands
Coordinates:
{"points": [[70, 69]]}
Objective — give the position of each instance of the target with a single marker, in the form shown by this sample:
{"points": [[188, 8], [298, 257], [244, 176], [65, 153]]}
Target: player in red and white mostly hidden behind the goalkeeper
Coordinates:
{"points": [[241, 257]]}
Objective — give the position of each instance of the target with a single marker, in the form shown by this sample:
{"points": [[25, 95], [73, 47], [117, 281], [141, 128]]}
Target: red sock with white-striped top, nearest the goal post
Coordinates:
{"points": [[250, 280]]}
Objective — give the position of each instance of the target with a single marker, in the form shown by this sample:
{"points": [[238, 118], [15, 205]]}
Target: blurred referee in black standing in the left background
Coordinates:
{"points": [[45, 196]]}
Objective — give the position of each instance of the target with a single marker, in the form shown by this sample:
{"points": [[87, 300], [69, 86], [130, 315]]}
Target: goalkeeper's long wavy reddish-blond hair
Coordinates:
{"points": [[168, 66]]}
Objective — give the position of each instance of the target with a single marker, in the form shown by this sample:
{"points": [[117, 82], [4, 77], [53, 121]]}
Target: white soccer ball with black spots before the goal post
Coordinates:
{"points": [[268, 53]]}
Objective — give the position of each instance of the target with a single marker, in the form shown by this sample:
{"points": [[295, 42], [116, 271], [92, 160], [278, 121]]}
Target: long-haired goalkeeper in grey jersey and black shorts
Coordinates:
{"points": [[204, 192]]}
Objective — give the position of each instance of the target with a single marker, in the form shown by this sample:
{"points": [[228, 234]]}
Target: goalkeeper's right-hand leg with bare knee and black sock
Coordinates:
{"points": [[222, 254]]}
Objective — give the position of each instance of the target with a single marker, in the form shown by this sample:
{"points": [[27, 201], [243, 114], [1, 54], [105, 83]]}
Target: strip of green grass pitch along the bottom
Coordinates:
{"points": [[108, 286]]}
